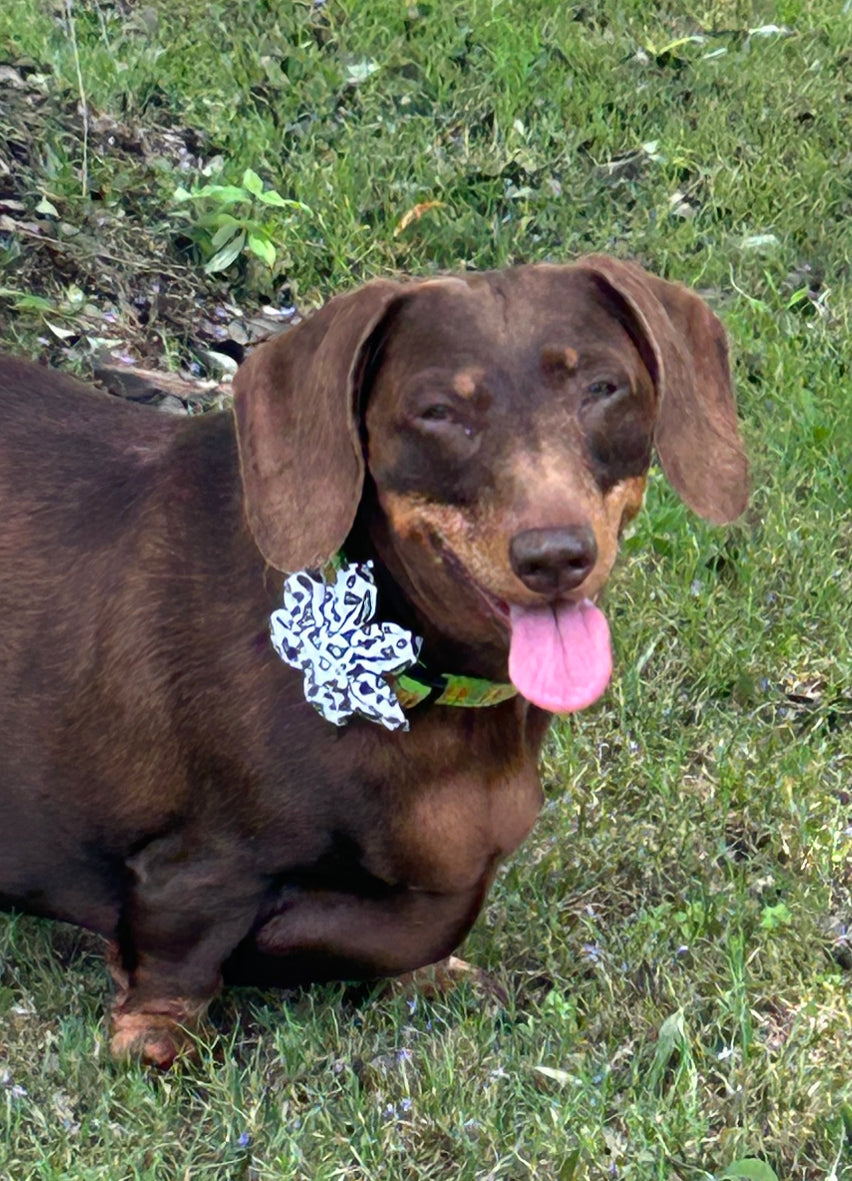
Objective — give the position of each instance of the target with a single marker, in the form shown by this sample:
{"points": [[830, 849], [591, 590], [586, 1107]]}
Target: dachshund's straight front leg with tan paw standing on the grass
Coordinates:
{"points": [[184, 917]]}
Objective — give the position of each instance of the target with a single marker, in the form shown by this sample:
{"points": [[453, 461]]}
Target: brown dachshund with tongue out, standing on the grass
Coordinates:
{"points": [[164, 781]]}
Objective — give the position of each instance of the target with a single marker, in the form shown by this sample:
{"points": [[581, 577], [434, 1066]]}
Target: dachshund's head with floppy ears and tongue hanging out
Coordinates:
{"points": [[506, 422]]}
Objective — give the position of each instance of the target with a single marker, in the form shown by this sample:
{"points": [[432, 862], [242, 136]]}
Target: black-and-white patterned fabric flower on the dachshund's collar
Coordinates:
{"points": [[326, 630]]}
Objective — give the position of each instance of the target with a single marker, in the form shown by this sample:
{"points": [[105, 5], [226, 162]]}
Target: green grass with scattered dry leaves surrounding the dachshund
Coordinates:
{"points": [[671, 936]]}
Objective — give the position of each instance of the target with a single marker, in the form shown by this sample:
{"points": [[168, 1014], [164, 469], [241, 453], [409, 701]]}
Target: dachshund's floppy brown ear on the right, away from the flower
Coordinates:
{"points": [[697, 436]]}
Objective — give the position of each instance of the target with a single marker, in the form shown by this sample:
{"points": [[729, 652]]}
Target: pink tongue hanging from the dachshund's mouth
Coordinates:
{"points": [[561, 657]]}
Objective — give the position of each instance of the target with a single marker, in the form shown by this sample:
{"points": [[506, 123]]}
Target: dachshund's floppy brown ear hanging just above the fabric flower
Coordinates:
{"points": [[301, 453]]}
